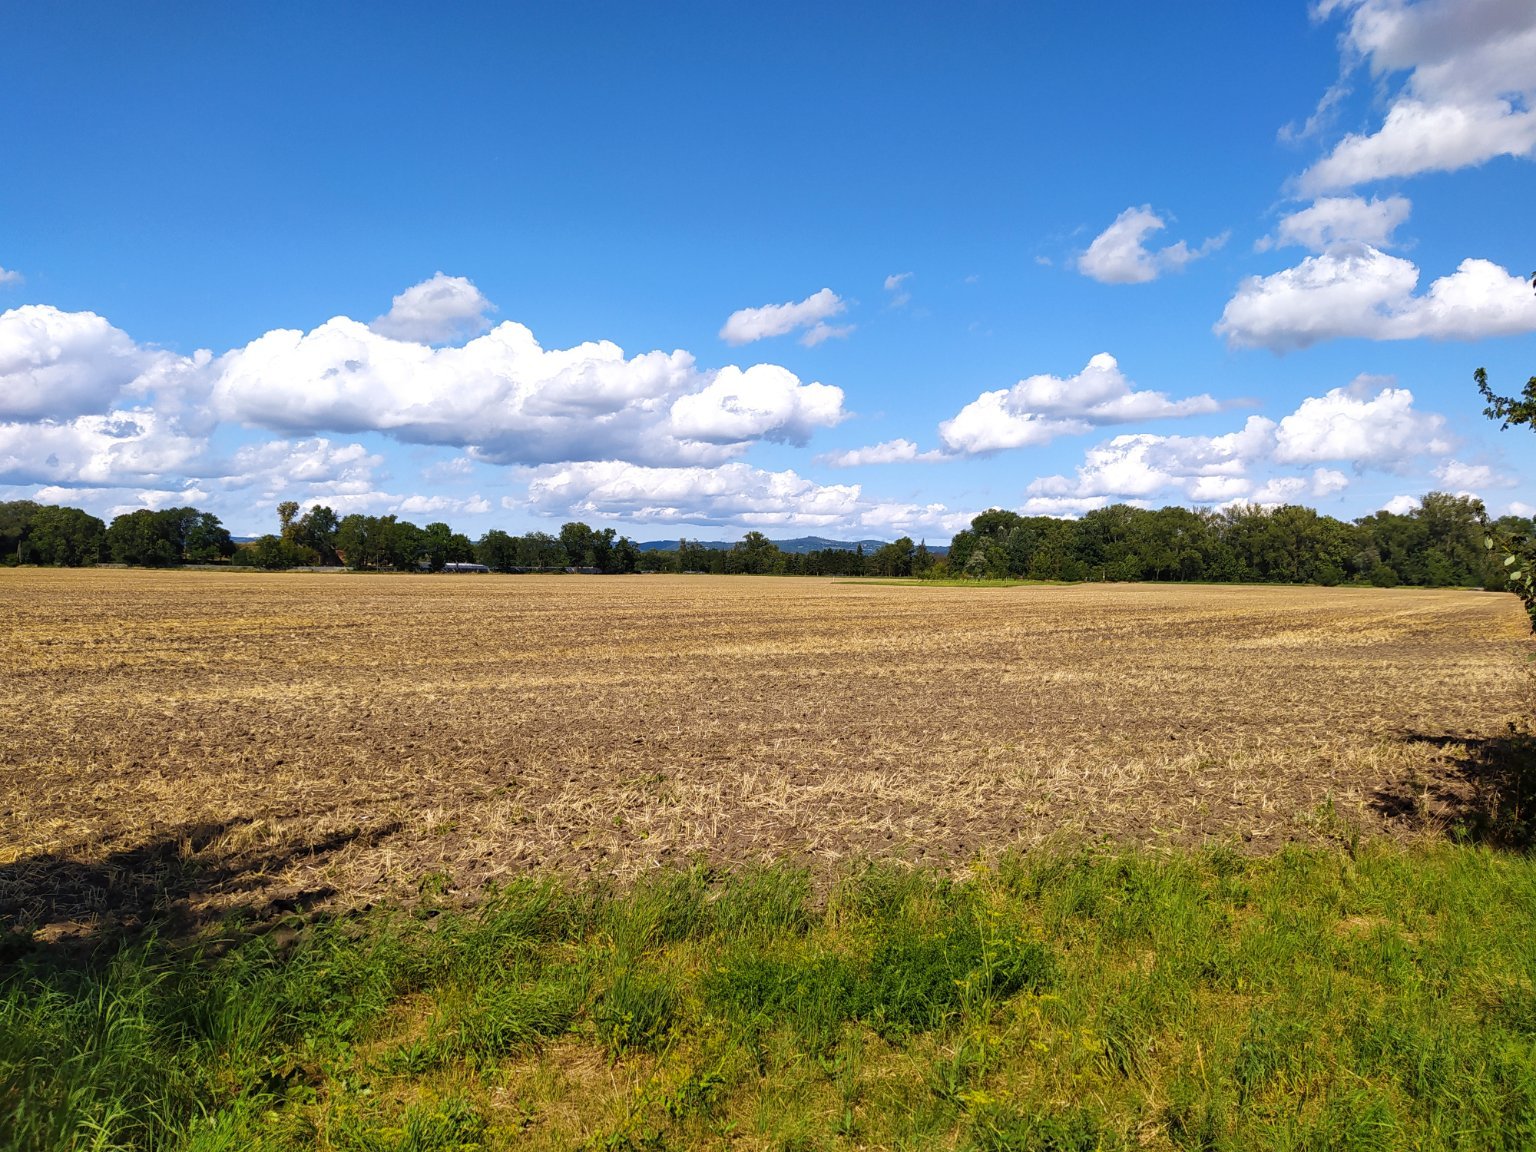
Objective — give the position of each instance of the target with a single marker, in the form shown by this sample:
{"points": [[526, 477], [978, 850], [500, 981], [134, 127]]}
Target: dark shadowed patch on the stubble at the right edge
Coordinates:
{"points": [[1486, 793]]}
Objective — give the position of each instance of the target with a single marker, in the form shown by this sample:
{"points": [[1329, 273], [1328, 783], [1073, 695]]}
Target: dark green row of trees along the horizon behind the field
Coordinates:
{"points": [[1438, 545]]}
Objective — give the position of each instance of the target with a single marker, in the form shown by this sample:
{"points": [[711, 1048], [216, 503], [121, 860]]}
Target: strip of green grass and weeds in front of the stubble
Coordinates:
{"points": [[1377, 999]]}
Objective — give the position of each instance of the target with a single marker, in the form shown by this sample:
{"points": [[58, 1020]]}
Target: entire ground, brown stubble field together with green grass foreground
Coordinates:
{"points": [[468, 864]]}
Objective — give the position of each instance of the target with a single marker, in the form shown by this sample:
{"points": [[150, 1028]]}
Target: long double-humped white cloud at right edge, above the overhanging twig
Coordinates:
{"points": [[1368, 294]]}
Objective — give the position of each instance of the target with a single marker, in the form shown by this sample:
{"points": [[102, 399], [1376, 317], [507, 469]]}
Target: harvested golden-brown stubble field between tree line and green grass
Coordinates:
{"points": [[214, 741]]}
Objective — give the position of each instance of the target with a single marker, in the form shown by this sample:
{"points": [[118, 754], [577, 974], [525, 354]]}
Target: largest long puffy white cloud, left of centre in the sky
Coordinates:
{"points": [[509, 400]]}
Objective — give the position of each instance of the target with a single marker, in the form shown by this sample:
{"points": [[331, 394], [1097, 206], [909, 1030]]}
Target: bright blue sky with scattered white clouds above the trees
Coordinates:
{"points": [[695, 270]]}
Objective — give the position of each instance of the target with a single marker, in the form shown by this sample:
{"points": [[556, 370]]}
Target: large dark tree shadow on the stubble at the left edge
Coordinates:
{"points": [[71, 905]]}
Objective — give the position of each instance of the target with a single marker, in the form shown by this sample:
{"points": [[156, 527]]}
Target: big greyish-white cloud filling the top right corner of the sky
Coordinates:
{"points": [[1469, 94]]}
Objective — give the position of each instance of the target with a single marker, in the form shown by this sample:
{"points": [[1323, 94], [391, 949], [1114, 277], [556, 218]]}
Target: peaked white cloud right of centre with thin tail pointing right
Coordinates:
{"points": [[1042, 408]]}
